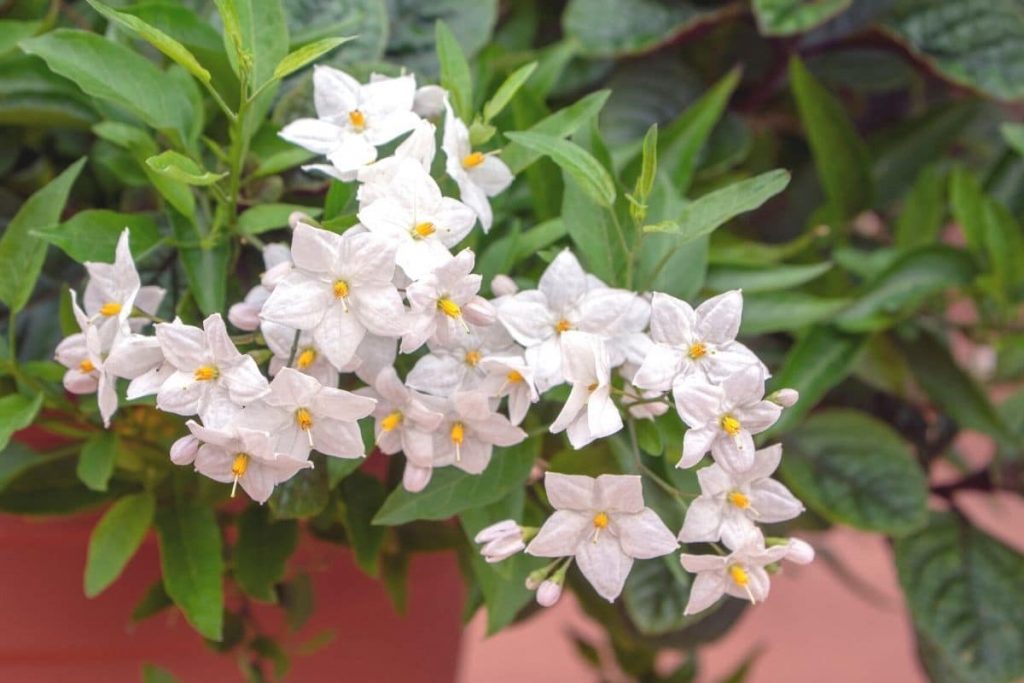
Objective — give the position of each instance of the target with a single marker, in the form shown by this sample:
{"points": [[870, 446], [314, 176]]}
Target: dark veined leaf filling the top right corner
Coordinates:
{"points": [[975, 44]]}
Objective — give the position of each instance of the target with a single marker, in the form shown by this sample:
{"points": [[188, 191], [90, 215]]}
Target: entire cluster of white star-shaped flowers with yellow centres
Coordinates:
{"points": [[333, 305]]}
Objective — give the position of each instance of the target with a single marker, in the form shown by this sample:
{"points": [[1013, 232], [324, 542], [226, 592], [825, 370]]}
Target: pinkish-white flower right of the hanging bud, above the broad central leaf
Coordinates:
{"points": [[471, 431]]}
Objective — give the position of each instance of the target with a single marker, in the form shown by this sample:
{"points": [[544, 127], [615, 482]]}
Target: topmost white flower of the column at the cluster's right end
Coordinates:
{"points": [[688, 340]]}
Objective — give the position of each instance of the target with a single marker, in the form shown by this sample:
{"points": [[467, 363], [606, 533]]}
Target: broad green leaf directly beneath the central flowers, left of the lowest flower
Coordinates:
{"points": [[451, 491]]}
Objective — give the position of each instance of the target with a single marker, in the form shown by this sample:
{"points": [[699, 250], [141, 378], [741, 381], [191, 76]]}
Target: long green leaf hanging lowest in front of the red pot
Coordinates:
{"points": [[191, 559]]}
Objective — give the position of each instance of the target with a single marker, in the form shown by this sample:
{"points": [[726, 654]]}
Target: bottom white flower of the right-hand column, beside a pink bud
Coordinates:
{"points": [[741, 574]]}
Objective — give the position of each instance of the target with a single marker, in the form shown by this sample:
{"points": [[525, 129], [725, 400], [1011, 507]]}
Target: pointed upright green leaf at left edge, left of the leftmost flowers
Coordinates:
{"points": [[19, 246]]}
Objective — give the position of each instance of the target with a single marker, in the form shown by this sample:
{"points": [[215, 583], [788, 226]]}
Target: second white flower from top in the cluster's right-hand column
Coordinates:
{"points": [[723, 418]]}
